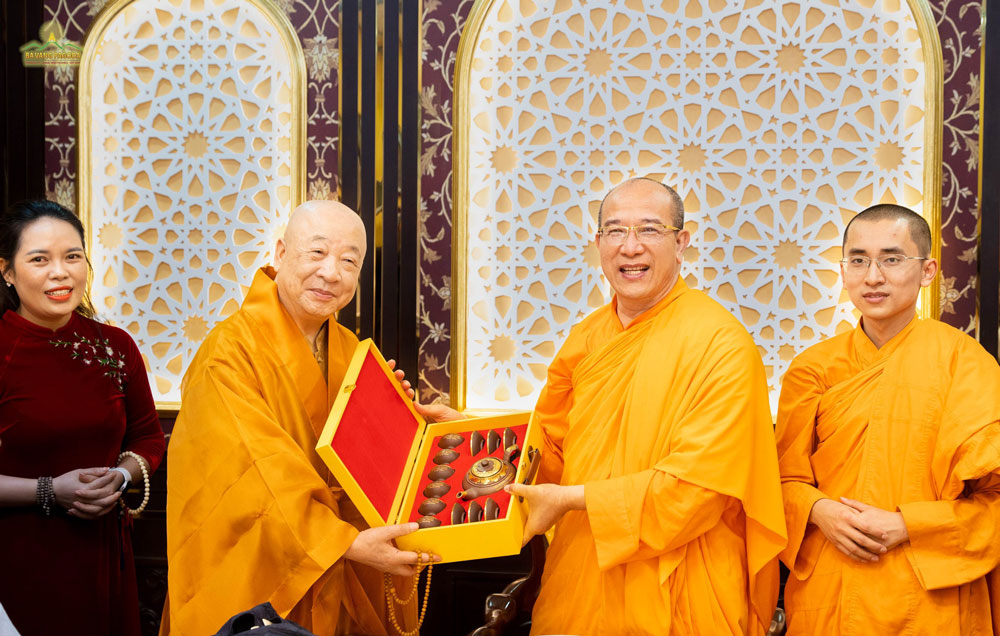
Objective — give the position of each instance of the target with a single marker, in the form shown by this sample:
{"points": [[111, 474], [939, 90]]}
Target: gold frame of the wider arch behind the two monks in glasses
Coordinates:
{"points": [[928, 305]]}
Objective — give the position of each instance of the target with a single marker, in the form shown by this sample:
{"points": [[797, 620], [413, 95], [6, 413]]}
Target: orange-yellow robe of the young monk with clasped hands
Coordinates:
{"points": [[911, 427]]}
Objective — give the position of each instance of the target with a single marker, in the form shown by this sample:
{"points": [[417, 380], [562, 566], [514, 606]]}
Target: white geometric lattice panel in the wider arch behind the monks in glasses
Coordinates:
{"points": [[774, 120]]}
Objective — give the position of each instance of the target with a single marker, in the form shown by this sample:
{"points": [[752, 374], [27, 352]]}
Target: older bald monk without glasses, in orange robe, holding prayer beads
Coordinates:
{"points": [[253, 514]]}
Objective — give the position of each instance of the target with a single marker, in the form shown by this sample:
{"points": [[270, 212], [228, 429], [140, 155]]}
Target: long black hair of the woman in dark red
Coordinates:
{"points": [[12, 225]]}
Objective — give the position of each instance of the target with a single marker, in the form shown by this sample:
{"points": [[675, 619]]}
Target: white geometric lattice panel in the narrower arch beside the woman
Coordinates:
{"points": [[191, 136]]}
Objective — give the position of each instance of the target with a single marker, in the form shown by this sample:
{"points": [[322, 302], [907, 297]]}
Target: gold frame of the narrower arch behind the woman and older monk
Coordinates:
{"points": [[297, 75]]}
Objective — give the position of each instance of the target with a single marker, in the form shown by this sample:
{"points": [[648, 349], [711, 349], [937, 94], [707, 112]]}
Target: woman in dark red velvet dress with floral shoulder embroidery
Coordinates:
{"points": [[73, 397]]}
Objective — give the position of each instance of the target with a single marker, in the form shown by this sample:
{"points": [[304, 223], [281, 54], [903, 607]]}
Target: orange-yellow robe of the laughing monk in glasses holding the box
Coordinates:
{"points": [[667, 425]]}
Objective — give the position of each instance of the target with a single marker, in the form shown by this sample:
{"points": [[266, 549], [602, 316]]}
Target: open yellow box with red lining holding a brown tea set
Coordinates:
{"points": [[382, 453]]}
